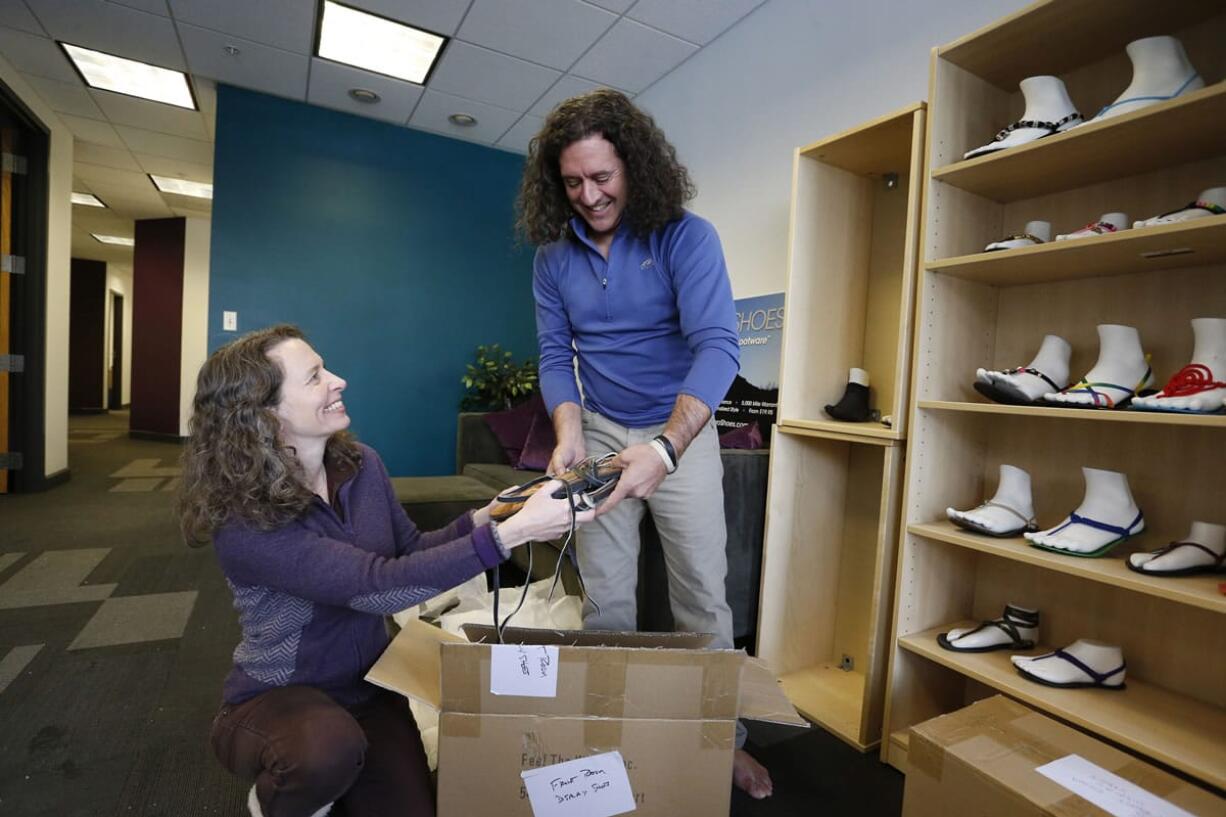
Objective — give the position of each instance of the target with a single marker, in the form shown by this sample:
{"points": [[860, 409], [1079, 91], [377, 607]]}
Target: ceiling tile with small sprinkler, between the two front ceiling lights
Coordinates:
{"points": [[256, 67]]}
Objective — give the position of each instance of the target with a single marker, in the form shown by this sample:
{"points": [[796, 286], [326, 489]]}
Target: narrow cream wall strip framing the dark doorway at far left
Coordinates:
{"points": [[59, 241]]}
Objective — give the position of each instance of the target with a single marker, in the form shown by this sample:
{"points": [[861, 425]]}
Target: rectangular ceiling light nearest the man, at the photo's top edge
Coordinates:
{"points": [[377, 45]]}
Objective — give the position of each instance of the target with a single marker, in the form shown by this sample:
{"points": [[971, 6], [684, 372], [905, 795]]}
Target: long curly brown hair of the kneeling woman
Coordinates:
{"points": [[235, 464]]}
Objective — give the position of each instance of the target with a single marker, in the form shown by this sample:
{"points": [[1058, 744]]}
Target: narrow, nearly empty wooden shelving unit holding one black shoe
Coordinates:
{"points": [[833, 505]]}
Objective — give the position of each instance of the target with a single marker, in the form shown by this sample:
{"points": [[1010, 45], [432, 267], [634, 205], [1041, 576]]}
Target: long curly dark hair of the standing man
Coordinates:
{"points": [[659, 186]]}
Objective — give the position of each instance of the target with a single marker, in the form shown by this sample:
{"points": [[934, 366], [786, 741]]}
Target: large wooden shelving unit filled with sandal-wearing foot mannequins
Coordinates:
{"points": [[991, 310]]}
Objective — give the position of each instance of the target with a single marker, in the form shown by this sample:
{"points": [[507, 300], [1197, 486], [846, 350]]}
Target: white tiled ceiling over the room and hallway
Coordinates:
{"points": [[508, 63]]}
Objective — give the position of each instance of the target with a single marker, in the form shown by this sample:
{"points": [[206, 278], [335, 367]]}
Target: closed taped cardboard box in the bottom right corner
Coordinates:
{"points": [[981, 762]]}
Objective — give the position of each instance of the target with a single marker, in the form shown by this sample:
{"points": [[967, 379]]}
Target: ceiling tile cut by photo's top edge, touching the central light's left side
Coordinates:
{"points": [[289, 25]]}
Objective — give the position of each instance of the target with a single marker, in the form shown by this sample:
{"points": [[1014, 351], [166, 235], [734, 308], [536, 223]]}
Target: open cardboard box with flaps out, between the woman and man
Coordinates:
{"points": [[665, 704]]}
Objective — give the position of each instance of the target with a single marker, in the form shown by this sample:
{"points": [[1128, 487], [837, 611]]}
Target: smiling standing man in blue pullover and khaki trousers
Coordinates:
{"points": [[636, 289]]}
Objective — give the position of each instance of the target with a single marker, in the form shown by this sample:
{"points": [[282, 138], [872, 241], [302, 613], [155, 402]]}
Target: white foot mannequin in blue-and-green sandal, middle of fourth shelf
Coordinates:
{"points": [[1106, 517]]}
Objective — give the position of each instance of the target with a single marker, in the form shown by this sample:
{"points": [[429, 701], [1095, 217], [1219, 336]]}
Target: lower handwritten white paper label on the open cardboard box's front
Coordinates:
{"points": [[589, 787]]}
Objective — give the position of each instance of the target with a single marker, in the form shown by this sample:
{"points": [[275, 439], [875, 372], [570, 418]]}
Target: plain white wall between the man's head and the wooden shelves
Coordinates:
{"points": [[790, 74]]}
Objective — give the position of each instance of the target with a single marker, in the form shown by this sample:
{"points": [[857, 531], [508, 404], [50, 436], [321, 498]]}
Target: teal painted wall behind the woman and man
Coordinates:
{"points": [[392, 248]]}
